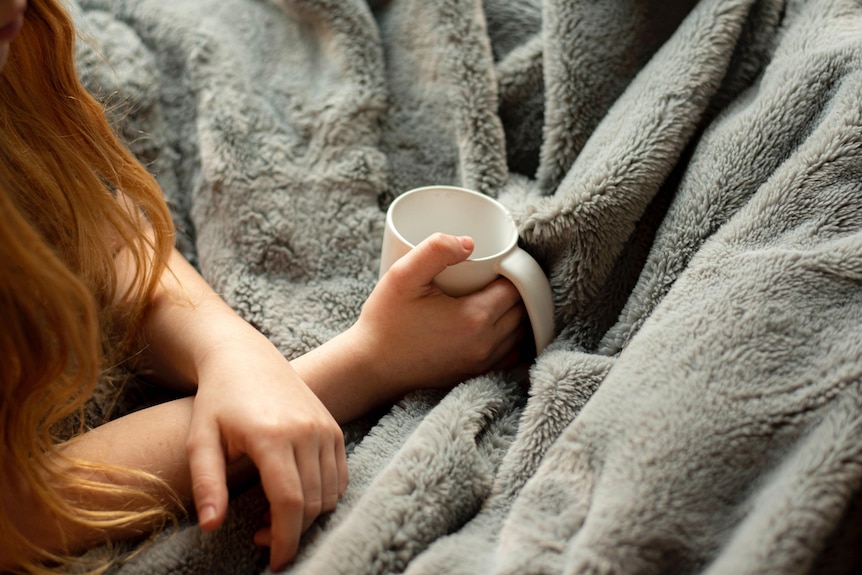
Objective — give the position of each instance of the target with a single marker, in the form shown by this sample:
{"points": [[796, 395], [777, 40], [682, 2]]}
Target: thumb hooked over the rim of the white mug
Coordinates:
{"points": [[432, 256]]}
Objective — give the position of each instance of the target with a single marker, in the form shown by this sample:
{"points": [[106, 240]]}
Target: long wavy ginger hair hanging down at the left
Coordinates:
{"points": [[71, 197]]}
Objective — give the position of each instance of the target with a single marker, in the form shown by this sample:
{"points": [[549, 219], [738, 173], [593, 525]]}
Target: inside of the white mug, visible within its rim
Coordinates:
{"points": [[420, 213]]}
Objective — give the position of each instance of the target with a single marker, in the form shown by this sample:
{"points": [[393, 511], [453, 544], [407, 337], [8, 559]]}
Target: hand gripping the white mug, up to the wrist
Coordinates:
{"points": [[417, 336]]}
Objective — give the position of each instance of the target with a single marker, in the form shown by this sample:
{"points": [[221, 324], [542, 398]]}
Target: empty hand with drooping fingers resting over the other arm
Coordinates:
{"points": [[250, 403]]}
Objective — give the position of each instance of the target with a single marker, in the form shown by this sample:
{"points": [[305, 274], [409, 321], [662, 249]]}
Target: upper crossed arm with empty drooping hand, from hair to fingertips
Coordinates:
{"points": [[250, 404]]}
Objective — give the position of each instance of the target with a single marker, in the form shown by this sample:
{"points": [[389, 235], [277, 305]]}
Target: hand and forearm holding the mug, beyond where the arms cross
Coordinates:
{"points": [[410, 335]]}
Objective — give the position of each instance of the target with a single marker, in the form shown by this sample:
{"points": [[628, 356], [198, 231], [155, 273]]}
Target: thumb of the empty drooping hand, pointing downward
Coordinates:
{"points": [[209, 483]]}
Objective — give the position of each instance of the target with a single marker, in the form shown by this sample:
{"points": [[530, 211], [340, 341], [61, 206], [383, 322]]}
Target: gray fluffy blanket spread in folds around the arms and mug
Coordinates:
{"points": [[689, 174]]}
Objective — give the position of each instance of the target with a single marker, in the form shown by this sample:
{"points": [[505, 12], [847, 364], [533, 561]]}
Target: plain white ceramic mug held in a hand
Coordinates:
{"points": [[419, 213]]}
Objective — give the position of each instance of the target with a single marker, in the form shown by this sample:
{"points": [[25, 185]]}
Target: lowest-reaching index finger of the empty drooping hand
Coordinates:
{"points": [[283, 488]]}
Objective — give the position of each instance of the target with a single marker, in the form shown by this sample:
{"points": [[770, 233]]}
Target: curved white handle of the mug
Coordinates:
{"points": [[524, 272]]}
